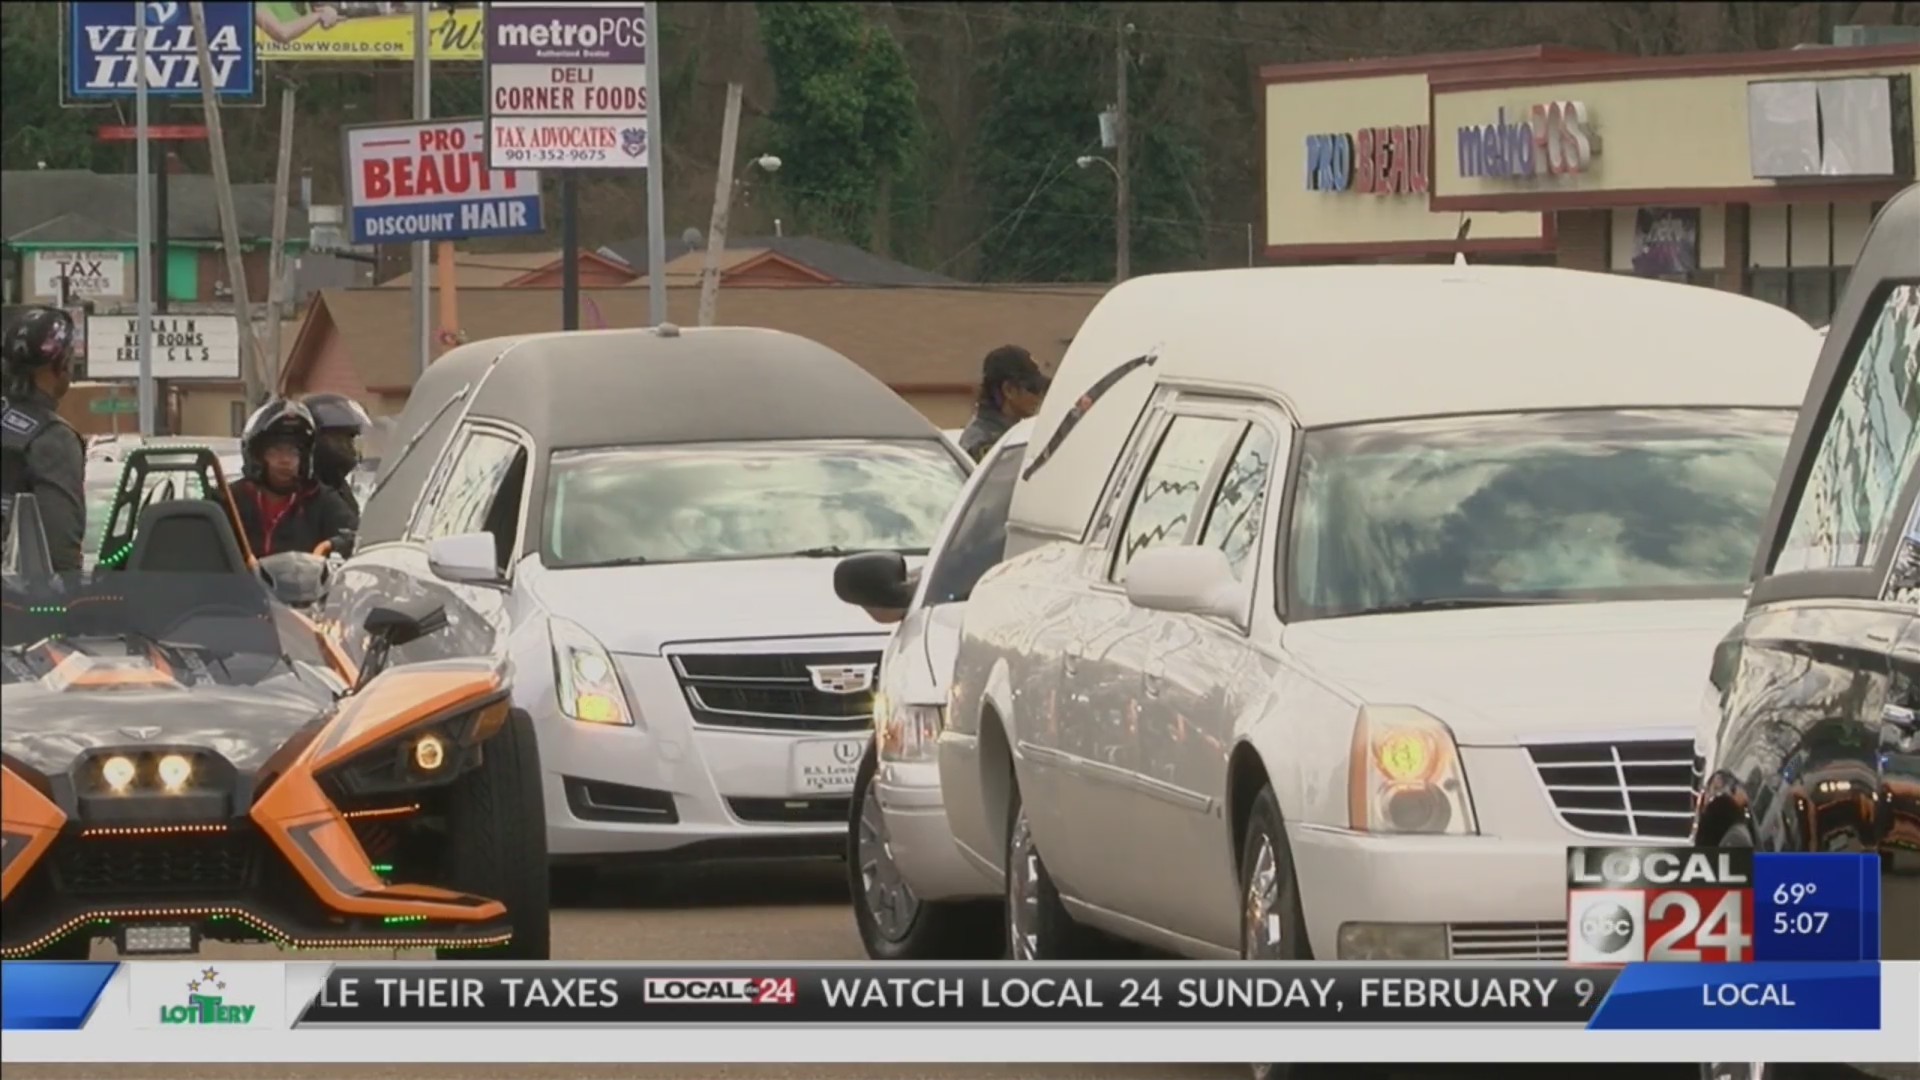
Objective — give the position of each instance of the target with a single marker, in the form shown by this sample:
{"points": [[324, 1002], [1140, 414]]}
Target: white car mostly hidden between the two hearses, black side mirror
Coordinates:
{"points": [[913, 895]]}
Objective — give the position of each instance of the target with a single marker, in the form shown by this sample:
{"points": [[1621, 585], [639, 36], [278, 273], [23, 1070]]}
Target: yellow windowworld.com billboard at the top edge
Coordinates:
{"points": [[368, 32]]}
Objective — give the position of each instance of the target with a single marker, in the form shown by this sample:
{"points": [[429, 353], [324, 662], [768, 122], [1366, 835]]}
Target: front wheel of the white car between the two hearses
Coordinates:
{"points": [[915, 929]]}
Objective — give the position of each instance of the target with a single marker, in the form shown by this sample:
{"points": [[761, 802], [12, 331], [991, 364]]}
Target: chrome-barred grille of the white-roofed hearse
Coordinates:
{"points": [[1621, 789]]}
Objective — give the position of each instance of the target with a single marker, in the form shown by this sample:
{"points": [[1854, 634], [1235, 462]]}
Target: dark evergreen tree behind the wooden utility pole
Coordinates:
{"points": [[1053, 220]]}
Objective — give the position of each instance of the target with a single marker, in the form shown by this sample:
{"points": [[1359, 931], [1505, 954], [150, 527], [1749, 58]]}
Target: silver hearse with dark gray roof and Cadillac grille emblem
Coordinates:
{"points": [[648, 524]]}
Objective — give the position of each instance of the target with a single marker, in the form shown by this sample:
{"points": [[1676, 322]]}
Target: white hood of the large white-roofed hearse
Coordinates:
{"points": [[1510, 675]]}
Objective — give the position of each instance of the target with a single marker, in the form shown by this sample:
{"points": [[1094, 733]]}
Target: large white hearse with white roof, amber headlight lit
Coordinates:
{"points": [[1335, 614]]}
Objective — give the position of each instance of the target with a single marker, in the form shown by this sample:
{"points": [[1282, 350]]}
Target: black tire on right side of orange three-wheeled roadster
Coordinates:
{"points": [[498, 831]]}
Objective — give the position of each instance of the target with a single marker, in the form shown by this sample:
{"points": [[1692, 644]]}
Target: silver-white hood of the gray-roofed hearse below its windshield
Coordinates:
{"points": [[638, 610]]}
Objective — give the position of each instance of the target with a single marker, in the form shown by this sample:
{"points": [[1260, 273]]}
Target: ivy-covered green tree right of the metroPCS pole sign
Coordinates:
{"points": [[846, 116]]}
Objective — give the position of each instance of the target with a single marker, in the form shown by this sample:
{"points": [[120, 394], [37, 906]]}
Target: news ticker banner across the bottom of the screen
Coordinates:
{"points": [[1074, 1012]]}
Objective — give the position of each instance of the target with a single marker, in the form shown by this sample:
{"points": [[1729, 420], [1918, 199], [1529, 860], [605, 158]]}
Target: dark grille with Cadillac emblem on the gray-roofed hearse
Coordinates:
{"points": [[773, 691]]}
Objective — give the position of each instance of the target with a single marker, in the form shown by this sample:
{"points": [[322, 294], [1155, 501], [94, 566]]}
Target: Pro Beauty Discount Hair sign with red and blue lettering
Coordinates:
{"points": [[431, 182]]}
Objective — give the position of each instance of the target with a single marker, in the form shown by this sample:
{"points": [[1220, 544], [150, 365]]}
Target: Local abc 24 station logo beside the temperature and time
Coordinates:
{"points": [[1660, 904]]}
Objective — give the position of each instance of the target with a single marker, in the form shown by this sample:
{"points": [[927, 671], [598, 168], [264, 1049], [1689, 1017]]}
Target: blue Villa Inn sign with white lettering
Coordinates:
{"points": [[103, 43]]}
